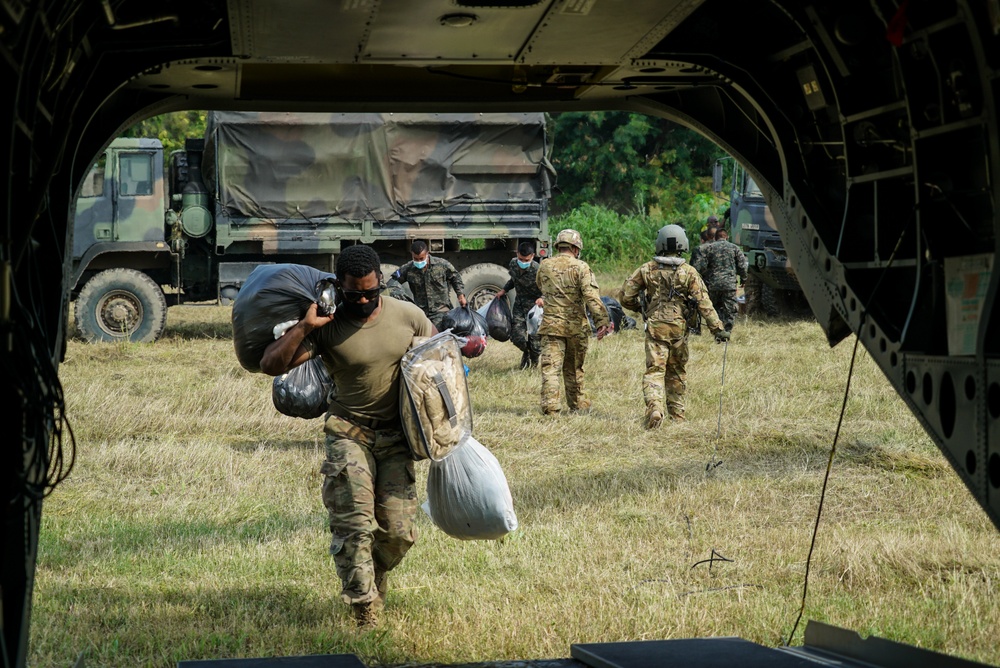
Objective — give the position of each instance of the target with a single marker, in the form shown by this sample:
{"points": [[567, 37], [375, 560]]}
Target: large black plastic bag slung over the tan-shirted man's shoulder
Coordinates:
{"points": [[272, 294]]}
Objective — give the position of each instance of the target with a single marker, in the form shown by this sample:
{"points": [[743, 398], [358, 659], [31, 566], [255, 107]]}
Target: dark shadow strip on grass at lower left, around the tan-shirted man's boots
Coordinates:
{"points": [[138, 625]]}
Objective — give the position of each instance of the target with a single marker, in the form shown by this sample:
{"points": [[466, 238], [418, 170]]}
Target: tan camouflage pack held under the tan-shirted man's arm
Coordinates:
{"points": [[434, 396]]}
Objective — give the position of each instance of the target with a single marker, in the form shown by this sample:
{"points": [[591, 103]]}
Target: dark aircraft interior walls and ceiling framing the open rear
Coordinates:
{"points": [[870, 125]]}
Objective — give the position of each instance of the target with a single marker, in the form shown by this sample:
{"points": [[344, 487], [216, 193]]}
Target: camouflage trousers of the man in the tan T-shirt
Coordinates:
{"points": [[370, 495]]}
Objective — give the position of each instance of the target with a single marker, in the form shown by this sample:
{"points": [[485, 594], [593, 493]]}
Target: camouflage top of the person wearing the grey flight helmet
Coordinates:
{"points": [[670, 284]]}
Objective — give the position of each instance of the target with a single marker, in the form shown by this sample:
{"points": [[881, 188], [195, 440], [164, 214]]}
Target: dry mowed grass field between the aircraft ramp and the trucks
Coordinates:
{"points": [[192, 527]]}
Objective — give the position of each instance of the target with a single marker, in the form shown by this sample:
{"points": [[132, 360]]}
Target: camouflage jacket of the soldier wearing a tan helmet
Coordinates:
{"points": [[570, 290]]}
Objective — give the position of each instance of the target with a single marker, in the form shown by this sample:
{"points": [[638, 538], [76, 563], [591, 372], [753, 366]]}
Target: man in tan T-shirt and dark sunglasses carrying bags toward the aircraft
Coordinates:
{"points": [[368, 486]]}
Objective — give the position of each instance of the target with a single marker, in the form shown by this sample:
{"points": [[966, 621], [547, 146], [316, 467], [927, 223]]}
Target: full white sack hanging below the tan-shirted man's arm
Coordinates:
{"points": [[468, 496]]}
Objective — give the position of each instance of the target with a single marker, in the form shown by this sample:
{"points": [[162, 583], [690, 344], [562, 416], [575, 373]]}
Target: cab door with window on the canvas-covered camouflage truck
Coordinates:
{"points": [[140, 208]]}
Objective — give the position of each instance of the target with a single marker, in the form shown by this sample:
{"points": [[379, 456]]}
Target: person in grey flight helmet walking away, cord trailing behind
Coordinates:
{"points": [[665, 286]]}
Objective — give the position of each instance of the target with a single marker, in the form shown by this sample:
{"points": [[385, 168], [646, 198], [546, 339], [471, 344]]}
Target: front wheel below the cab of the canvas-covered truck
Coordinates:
{"points": [[121, 305]]}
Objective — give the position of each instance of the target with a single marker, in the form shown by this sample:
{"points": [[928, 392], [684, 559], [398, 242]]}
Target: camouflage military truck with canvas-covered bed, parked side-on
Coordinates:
{"points": [[297, 188]]}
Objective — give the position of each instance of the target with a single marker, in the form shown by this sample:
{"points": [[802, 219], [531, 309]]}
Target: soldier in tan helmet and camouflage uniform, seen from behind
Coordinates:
{"points": [[569, 291]]}
